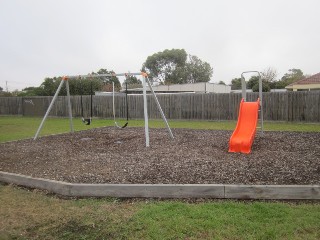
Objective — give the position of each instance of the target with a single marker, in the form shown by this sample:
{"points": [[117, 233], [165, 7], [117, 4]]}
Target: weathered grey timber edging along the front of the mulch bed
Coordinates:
{"points": [[275, 192]]}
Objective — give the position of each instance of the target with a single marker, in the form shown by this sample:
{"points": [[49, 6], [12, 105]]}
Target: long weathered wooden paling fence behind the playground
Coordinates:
{"points": [[282, 106]]}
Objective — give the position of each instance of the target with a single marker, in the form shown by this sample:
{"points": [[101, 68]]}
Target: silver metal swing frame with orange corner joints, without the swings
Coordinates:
{"points": [[145, 81]]}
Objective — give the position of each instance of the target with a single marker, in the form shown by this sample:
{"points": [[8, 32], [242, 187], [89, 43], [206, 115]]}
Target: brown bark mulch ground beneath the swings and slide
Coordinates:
{"points": [[109, 155]]}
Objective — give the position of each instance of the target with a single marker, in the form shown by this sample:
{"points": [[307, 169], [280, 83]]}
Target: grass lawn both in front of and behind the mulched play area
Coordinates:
{"points": [[32, 214]]}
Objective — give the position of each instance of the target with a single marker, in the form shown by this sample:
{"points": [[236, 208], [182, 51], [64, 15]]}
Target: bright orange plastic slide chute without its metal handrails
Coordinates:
{"points": [[243, 136]]}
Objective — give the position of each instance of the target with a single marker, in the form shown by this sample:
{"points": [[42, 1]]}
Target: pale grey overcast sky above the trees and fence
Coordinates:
{"points": [[47, 38]]}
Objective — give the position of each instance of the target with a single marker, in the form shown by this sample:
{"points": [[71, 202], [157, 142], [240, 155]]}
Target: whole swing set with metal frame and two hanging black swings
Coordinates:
{"points": [[88, 121]]}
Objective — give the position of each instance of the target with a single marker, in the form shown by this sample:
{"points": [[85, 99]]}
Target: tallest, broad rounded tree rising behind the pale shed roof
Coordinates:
{"points": [[175, 66]]}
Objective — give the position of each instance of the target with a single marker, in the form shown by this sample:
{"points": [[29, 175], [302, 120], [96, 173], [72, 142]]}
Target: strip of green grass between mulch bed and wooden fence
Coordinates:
{"points": [[14, 128]]}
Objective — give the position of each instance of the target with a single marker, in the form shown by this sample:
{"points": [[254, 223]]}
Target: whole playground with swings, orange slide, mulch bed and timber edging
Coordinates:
{"points": [[120, 156]]}
